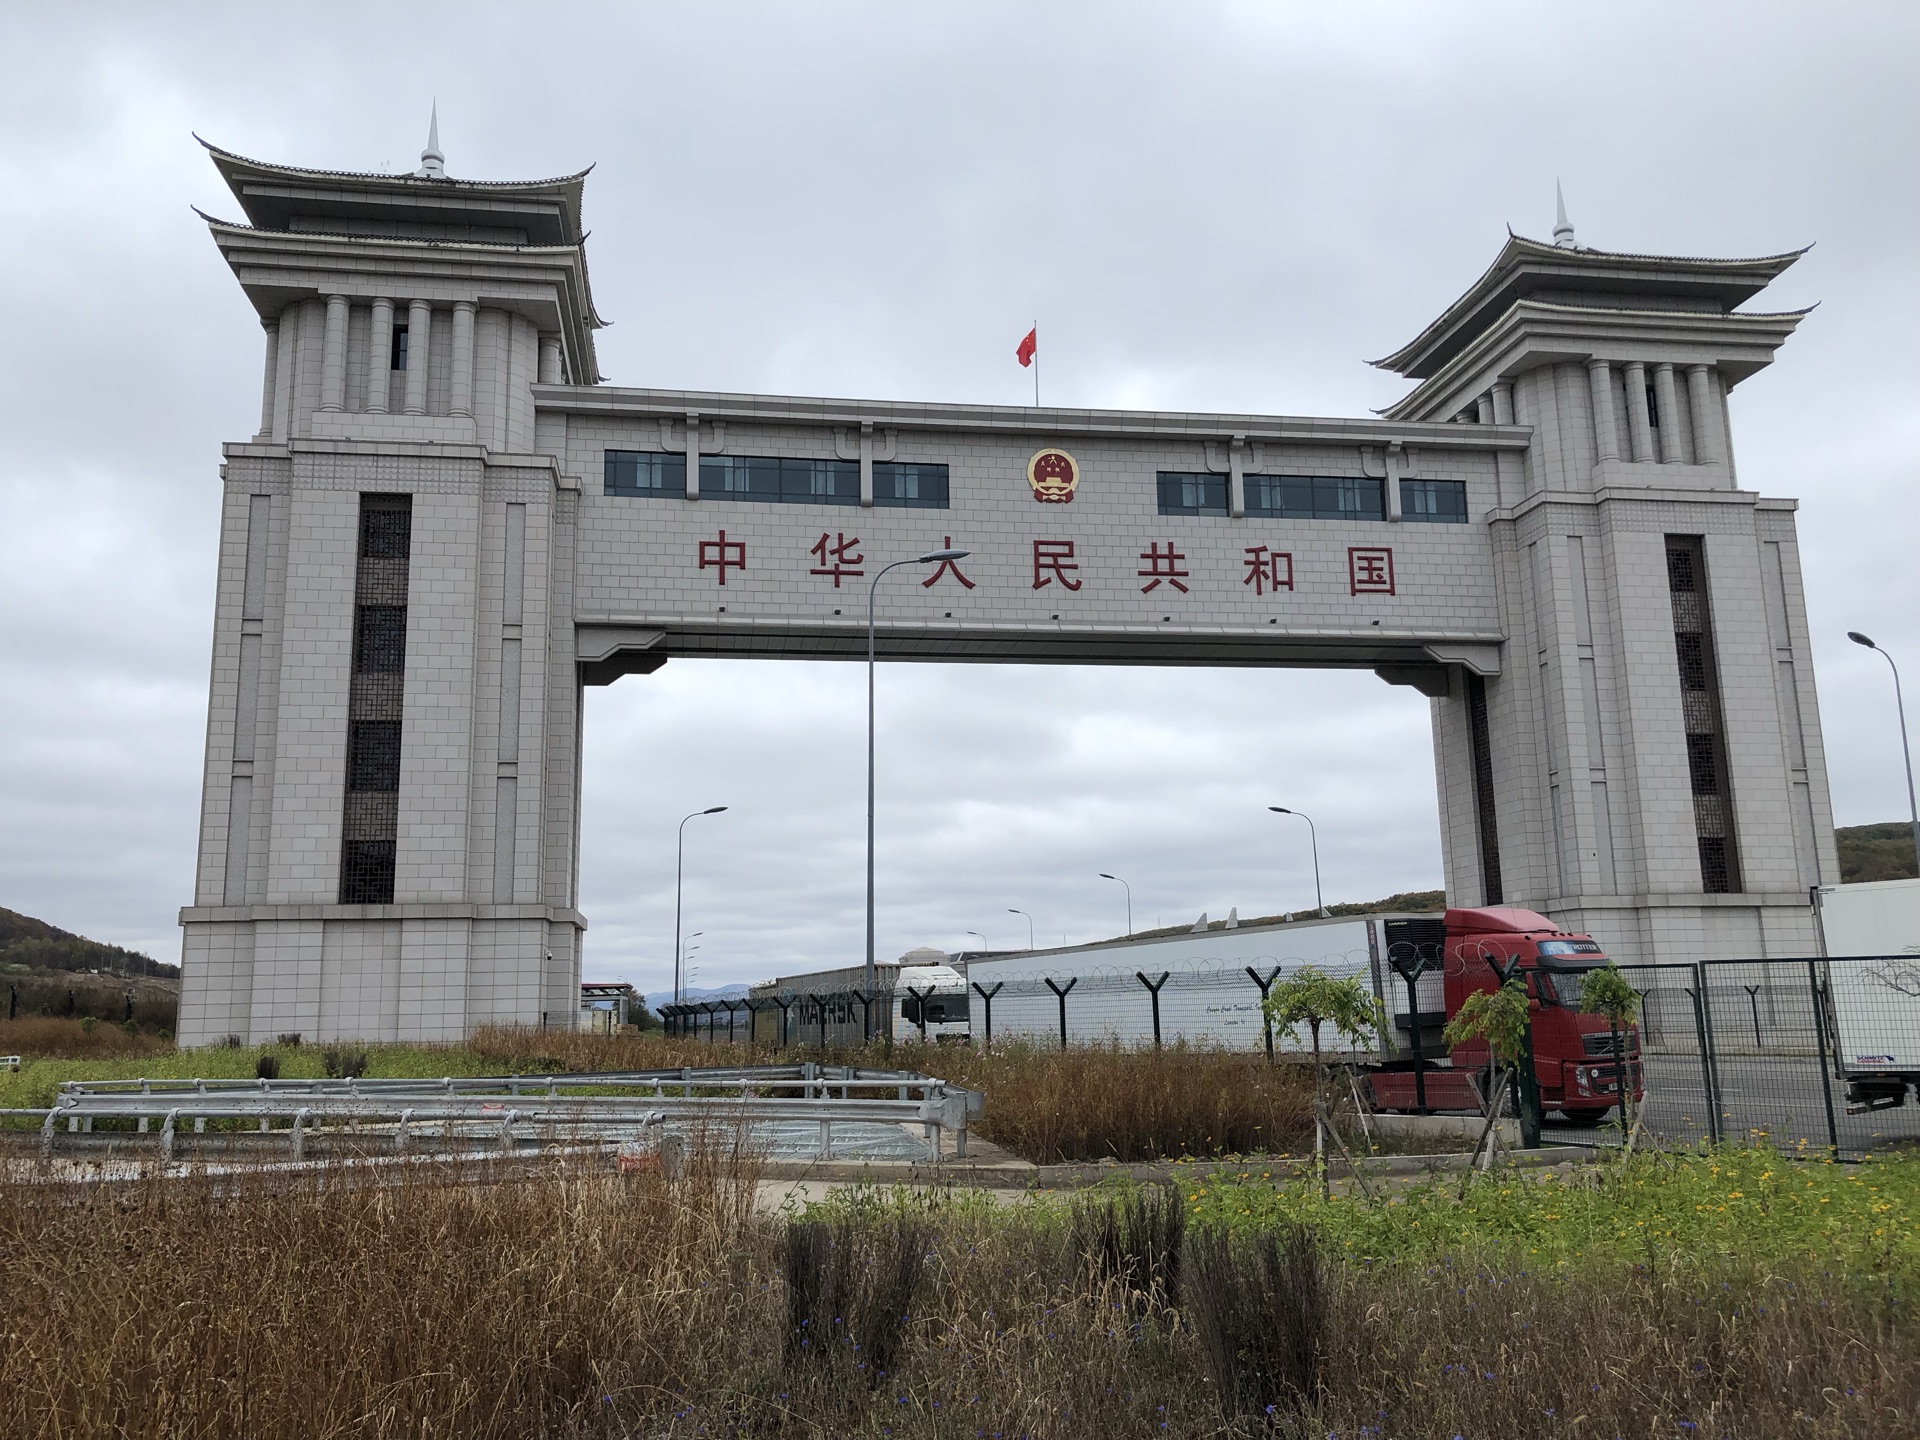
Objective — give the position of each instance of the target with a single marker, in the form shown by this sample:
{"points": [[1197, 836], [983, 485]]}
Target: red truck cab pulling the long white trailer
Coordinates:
{"points": [[1573, 1051]]}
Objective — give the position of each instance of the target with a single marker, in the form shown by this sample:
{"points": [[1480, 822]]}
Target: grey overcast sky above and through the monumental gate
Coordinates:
{"points": [[1207, 206]]}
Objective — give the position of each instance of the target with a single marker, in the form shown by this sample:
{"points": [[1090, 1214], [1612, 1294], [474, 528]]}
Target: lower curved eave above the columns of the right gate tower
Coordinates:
{"points": [[1539, 322]]}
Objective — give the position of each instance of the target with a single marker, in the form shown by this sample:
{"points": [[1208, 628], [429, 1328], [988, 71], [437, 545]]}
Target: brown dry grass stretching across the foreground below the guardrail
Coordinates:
{"points": [[583, 1305]]}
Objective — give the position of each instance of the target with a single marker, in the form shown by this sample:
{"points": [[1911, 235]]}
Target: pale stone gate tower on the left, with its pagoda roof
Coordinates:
{"points": [[387, 844]]}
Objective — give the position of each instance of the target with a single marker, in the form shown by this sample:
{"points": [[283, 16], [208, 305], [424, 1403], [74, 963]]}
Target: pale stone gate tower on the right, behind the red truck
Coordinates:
{"points": [[1648, 761]]}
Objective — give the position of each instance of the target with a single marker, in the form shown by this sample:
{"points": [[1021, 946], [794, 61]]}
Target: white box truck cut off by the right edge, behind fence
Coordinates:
{"points": [[1871, 940]]}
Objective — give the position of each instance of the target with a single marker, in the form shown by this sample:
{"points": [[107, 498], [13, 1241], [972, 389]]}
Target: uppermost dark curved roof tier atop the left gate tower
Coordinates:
{"points": [[406, 206]]}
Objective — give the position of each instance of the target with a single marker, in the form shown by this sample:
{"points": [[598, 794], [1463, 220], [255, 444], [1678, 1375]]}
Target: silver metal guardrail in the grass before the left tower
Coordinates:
{"points": [[608, 1105]]}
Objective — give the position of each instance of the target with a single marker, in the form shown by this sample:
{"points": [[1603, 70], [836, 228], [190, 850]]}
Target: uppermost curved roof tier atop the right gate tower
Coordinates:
{"points": [[1581, 277]]}
